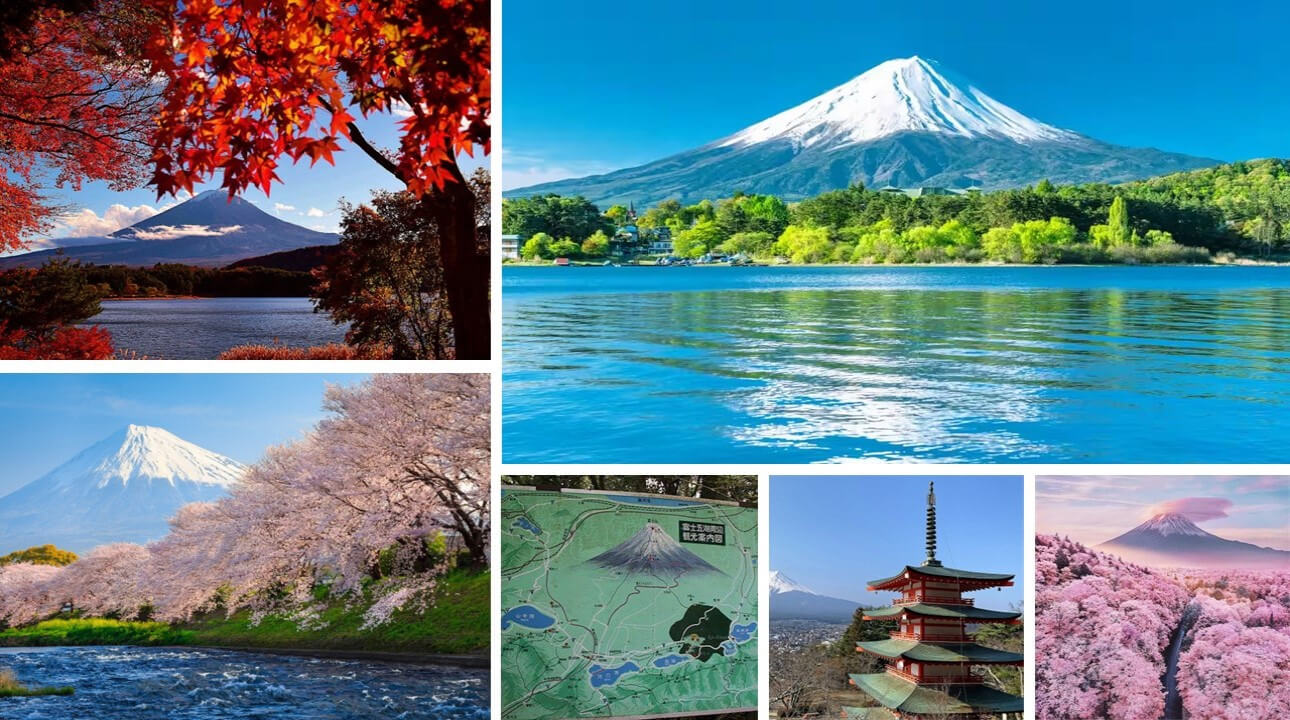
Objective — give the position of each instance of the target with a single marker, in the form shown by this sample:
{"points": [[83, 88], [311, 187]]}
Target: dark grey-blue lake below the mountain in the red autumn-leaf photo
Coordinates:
{"points": [[201, 330]]}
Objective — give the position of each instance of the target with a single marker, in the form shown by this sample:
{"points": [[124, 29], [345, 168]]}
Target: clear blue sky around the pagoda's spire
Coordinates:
{"points": [[835, 534]]}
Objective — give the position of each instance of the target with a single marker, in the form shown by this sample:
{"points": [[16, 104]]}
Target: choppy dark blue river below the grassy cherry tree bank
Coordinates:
{"points": [[192, 685]]}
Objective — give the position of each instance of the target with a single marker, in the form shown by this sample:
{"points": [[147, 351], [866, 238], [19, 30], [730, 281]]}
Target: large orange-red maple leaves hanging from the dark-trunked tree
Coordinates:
{"points": [[251, 82]]}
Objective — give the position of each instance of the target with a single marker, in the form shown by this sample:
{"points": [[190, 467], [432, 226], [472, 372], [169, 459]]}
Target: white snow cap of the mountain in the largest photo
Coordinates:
{"points": [[905, 95]]}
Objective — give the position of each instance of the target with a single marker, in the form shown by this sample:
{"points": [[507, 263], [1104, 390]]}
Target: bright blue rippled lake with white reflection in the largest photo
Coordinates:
{"points": [[940, 365]]}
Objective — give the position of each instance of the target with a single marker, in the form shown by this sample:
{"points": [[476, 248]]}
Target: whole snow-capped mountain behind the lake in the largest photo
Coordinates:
{"points": [[905, 123]]}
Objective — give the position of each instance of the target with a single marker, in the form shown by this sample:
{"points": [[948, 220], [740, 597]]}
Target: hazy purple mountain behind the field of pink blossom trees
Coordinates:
{"points": [[1175, 540]]}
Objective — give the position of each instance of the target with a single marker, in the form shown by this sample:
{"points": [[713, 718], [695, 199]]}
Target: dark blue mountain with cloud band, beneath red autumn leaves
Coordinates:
{"points": [[207, 230]]}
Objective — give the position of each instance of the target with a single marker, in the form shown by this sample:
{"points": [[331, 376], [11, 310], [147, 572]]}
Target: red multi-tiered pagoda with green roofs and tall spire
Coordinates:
{"points": [[929, 657]]}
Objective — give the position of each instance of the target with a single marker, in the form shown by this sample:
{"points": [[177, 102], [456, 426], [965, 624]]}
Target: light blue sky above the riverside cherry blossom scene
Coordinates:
{"points": [[48, 419]]}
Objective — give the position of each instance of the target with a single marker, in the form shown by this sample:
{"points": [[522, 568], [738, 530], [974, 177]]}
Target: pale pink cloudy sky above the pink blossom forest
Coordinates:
{"points": [[1093, 509]]}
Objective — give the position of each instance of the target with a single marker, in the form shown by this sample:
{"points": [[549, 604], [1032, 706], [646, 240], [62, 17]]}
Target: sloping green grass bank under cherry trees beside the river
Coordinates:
{"points": [[459, 623]]}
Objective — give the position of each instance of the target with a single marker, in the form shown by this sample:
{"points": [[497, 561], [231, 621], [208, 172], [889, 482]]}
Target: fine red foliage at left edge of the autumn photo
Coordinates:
{"points": [[75, 106]]}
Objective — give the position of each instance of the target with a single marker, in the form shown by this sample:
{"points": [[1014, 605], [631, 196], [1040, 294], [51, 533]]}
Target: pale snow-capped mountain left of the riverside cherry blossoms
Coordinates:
{"points": [[121, 490]]}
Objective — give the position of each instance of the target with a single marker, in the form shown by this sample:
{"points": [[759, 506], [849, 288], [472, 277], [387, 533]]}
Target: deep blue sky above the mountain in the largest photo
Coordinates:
{"points": [[591, 87]]}
